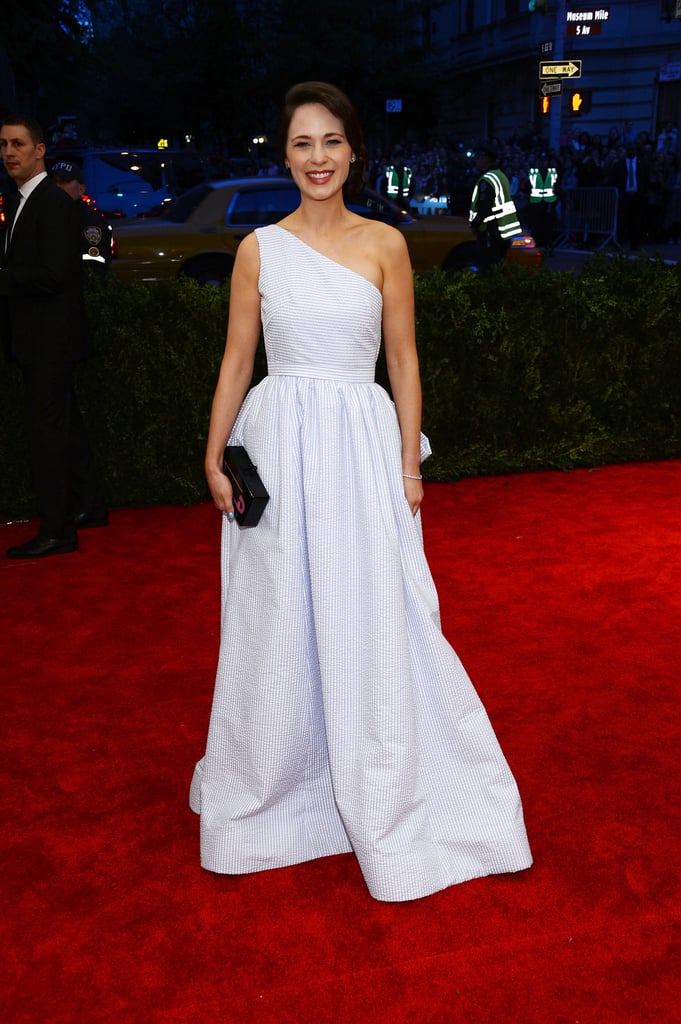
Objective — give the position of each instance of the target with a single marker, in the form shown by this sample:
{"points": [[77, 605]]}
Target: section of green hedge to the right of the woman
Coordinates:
{"points": [[546, 370]]}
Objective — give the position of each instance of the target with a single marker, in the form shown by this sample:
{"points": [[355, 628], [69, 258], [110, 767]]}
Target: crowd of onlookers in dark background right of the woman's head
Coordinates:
{"points": [[646, 172]]}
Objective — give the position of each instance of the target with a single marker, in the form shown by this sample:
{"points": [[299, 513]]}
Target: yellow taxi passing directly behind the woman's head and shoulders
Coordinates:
{"points": [[200, 232]]}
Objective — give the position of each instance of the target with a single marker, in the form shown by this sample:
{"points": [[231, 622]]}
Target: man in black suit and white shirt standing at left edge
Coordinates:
{"points": [[44, 316]]}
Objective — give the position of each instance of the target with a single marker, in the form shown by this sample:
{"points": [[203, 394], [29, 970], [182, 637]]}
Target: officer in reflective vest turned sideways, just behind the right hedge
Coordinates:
{"points": [[493, 216]]}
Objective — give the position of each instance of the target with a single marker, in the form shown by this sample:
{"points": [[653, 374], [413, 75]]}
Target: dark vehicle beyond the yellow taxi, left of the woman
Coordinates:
{"points": [[138, 183]]}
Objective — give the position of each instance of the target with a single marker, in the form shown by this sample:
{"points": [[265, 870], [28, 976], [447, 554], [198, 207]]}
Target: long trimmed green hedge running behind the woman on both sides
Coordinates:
{"points": [[521, 371]]}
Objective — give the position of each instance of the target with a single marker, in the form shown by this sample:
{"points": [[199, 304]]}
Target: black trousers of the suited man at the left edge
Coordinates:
{"points": [[64, 472]]}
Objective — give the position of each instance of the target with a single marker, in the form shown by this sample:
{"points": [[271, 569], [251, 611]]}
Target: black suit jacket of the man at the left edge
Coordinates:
{"points": [[41, 287]]}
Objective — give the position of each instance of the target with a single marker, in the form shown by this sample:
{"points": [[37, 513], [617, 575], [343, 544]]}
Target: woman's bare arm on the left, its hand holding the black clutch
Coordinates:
{"points": [[237, 368]]}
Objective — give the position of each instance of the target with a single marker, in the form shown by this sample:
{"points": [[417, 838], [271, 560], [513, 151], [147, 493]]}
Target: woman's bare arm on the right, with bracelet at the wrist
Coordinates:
{"points": [[402, 359]]}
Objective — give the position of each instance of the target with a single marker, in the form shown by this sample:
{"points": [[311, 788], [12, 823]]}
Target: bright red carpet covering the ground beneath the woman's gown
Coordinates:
{"points": [[563, 595]]}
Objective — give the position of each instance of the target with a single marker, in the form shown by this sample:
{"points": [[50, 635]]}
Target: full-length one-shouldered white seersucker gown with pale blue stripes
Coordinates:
{"points": [[343, 719]]}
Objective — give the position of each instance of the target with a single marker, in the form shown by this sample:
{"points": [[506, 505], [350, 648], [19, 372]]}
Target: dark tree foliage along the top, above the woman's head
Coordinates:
{"points": [[139, 70]]}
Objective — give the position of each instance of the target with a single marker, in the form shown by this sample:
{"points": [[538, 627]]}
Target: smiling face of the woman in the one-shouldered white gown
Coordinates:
{"points": [[318, 151]]}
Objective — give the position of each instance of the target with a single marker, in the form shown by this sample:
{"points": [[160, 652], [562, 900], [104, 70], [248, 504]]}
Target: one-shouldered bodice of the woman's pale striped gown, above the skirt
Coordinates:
{"points": [[320, 319]]}
